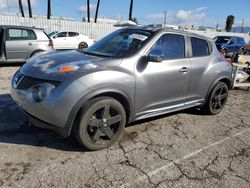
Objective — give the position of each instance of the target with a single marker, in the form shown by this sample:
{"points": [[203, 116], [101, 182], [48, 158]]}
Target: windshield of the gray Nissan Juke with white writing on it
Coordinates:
{"points": [[121, 43]]}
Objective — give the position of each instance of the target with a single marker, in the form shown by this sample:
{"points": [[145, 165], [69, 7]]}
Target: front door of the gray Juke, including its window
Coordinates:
{"points": [[162, 86]]}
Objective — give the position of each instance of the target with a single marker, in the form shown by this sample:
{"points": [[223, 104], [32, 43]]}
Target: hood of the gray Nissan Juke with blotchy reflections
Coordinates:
{"points": [[46, 66]]}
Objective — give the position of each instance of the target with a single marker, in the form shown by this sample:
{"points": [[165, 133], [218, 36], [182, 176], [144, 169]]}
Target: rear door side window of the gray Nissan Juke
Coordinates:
{"points": [[199, 47]]}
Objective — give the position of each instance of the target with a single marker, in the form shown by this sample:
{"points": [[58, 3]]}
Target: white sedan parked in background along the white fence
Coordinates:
{"points": [[70, 40]]}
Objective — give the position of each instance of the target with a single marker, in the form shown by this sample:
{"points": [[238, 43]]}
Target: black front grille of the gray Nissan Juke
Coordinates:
{"points": [[21, 81]]}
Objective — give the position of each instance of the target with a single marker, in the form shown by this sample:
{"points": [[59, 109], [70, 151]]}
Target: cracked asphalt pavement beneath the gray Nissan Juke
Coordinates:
{"points": [[183, 149]]}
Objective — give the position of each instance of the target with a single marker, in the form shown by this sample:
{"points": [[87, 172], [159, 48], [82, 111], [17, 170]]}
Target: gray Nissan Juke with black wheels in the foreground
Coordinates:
{"points": [[131, 74]]}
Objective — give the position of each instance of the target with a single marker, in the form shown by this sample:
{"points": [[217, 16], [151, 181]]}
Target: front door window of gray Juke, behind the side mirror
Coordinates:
{"points": [[172, 46]]}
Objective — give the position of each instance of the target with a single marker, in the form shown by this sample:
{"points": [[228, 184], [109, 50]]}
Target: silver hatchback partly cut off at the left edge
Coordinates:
{"points": [[18, 43]]}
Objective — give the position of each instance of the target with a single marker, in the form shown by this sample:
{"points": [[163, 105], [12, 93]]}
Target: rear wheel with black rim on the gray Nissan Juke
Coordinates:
{"points": [[217, 98]]}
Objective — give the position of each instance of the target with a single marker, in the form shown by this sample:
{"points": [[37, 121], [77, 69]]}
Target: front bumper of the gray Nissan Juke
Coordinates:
{"points": [[54, 111]]}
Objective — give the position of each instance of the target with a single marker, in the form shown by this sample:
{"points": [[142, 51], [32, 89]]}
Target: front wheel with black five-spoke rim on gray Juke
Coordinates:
{"points": [[101, 123]]}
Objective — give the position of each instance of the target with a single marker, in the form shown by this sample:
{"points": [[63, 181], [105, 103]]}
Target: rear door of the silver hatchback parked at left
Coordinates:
{"points": [[19, 43]]}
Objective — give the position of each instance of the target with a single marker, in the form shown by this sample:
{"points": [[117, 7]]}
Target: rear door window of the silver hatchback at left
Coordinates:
{"points": [[20, 34]]}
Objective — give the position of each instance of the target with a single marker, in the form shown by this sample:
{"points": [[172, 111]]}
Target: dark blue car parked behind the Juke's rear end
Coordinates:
{"points": [[229, 44]]}
